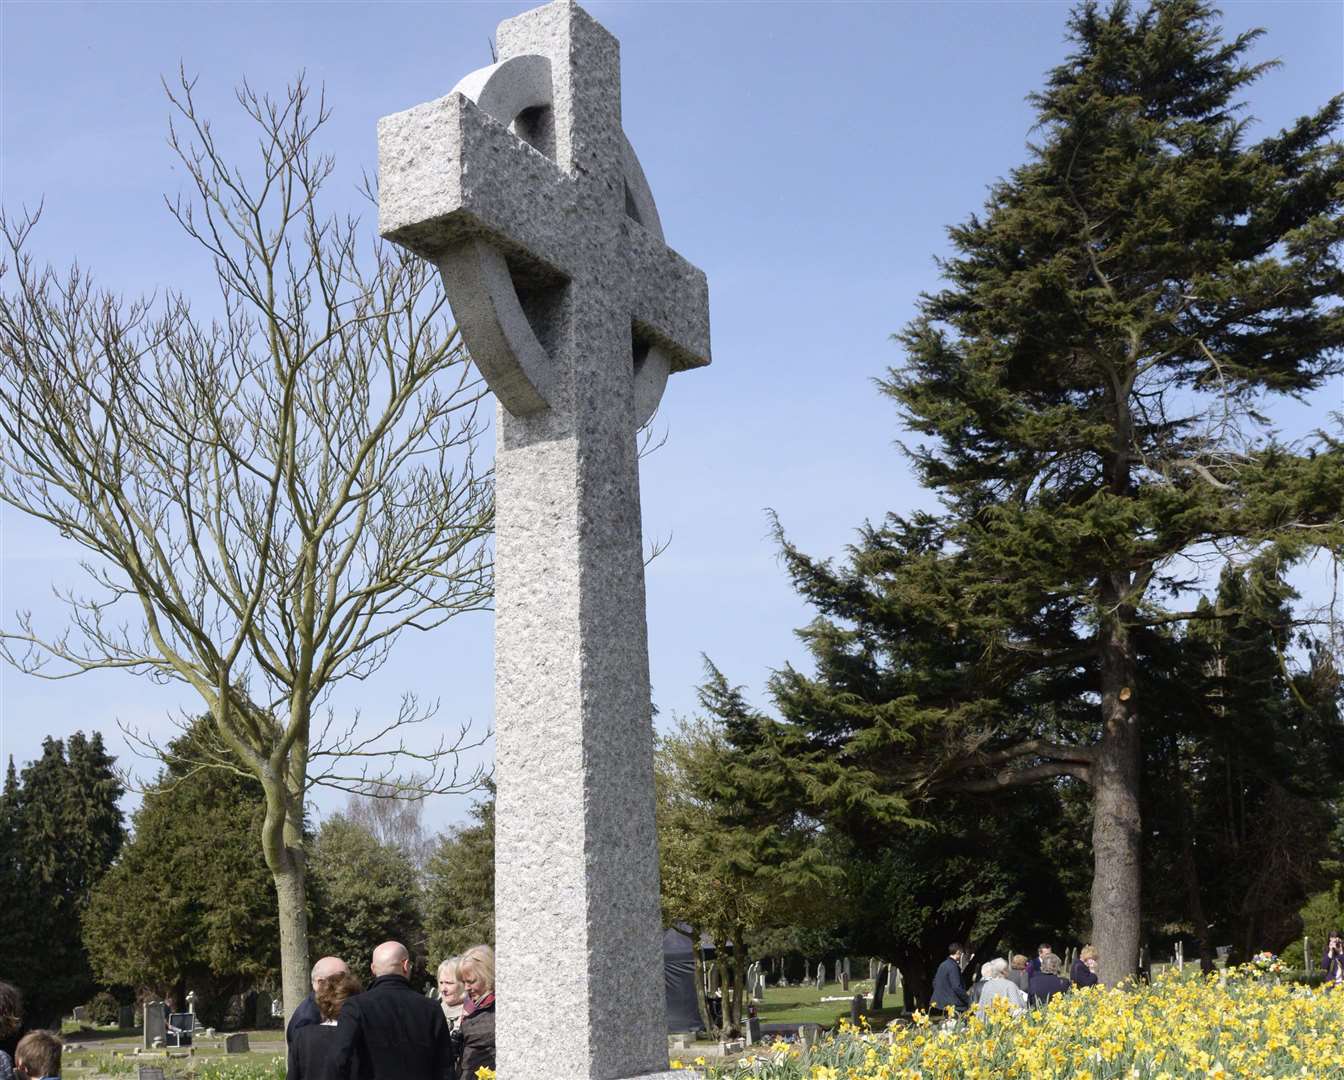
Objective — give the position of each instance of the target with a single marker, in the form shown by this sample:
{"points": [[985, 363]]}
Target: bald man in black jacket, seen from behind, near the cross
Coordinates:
{"points": [[390, 1032]]}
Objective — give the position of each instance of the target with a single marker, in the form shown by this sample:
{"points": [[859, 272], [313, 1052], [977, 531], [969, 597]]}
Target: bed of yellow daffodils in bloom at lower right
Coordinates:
{"points": [[1232, 1027]]}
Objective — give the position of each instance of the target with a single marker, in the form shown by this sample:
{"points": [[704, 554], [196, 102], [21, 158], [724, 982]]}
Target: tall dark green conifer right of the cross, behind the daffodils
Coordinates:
{"points": [[1091, 390]]}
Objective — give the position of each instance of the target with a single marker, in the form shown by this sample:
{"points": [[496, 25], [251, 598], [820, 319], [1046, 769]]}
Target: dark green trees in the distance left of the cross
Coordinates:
{"points": [[183, 901]]}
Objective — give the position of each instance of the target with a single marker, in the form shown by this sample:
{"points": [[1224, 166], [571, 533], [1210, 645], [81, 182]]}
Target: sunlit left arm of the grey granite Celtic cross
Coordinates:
{"points": [[448, 174]]}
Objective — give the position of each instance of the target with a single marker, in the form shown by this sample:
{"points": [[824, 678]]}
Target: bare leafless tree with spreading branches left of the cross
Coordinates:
{"points": [[268, 498]]}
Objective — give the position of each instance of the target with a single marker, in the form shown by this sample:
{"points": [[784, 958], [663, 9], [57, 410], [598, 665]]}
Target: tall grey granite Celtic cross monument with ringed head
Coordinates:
{"points": [[522, 187]]}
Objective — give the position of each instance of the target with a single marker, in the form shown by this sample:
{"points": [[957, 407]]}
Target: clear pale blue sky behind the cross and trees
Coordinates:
{"points": [[808, 156]]}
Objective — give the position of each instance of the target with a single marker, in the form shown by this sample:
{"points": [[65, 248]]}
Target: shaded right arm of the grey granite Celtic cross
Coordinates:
{"points": [[670, 299]]}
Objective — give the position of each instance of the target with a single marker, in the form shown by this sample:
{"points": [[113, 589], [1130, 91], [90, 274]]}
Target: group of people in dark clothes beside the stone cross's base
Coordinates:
{"points": [[345, 1031]]}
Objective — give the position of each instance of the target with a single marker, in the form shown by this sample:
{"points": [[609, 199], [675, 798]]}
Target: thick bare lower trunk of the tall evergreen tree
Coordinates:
{"points": [[1116, 815]]}
